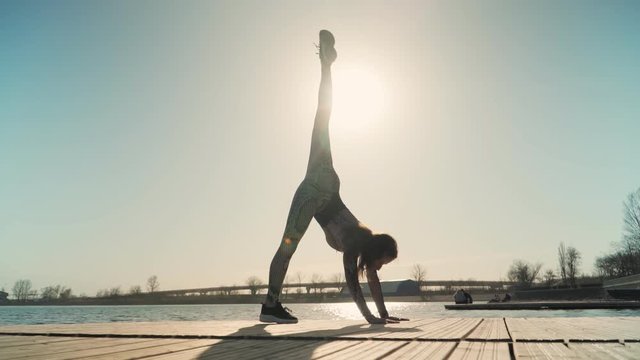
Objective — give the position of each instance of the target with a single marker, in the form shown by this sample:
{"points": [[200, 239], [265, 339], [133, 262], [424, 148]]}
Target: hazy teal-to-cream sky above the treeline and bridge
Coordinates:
{"points": [[167, 138]]}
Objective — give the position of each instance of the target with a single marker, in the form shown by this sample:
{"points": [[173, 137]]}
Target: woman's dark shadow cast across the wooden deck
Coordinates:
{"points": [[254, 342]]}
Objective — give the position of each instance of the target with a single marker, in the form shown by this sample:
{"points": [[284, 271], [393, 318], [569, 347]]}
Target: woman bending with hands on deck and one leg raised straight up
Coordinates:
{"points": [[318, 196]]}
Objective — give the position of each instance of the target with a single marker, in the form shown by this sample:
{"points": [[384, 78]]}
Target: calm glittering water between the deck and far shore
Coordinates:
{"points": [[338, 311]]}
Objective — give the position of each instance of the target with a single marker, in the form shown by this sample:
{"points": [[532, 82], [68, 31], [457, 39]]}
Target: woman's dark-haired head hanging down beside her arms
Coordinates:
{"points": [[377, 250]]}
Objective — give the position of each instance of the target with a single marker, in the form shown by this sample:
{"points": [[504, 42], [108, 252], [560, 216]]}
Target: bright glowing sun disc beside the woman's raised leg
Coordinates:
{"points": [[359, 100]]}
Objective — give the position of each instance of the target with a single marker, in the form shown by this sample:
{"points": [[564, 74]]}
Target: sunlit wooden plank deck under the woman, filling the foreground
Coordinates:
{"points": [[432, 338]]}
